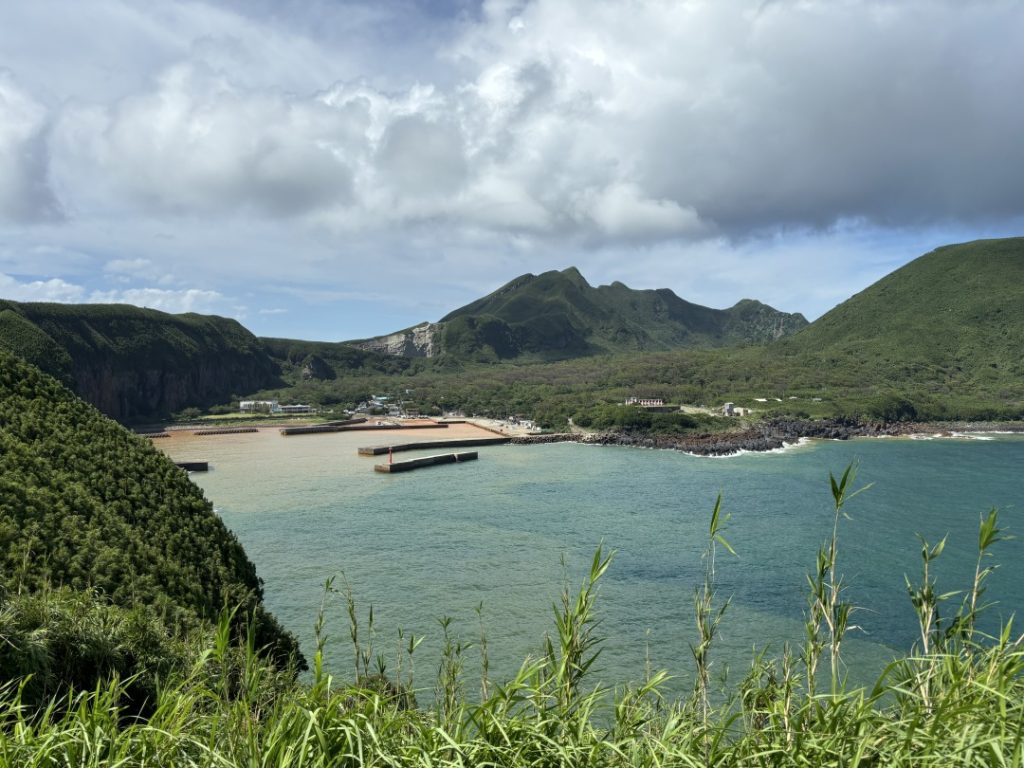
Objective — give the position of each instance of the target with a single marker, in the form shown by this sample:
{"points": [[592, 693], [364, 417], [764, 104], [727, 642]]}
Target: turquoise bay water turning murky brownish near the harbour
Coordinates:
{"points": [[441, 542]]}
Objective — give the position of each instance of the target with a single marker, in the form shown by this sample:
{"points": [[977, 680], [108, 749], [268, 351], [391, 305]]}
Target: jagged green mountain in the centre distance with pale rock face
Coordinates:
{"points": [[558, 316]]}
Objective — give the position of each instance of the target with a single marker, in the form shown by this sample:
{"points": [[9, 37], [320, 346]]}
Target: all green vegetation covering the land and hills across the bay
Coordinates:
{"points": [[938, 339]]}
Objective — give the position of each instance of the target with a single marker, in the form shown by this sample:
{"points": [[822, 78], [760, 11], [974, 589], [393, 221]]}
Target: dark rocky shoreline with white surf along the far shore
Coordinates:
{"points": [[770, 436]]}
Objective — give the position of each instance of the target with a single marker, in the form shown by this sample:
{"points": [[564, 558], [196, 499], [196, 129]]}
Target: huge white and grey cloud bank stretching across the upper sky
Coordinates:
{"points": [[651, 121]]}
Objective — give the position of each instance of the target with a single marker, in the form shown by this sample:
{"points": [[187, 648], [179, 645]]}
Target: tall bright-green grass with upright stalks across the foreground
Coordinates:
{"points": [[957, 699]]}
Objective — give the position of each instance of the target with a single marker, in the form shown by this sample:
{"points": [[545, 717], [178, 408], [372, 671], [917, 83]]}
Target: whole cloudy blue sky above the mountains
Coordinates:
{"points": [[337, 169]]}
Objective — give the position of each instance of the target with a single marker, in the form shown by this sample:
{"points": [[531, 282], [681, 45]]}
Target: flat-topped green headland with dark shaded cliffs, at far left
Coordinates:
{"points": [[136, 364]]}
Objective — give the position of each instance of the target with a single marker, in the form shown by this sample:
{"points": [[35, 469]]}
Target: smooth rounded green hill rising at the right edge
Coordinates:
{"points": [[951, 319]]}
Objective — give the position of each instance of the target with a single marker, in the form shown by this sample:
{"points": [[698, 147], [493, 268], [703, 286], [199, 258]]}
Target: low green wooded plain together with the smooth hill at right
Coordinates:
{"points": [[938, 339]]}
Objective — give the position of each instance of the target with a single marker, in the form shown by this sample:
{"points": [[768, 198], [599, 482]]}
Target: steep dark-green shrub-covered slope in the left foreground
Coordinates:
{"points": [[87, 505]]}
